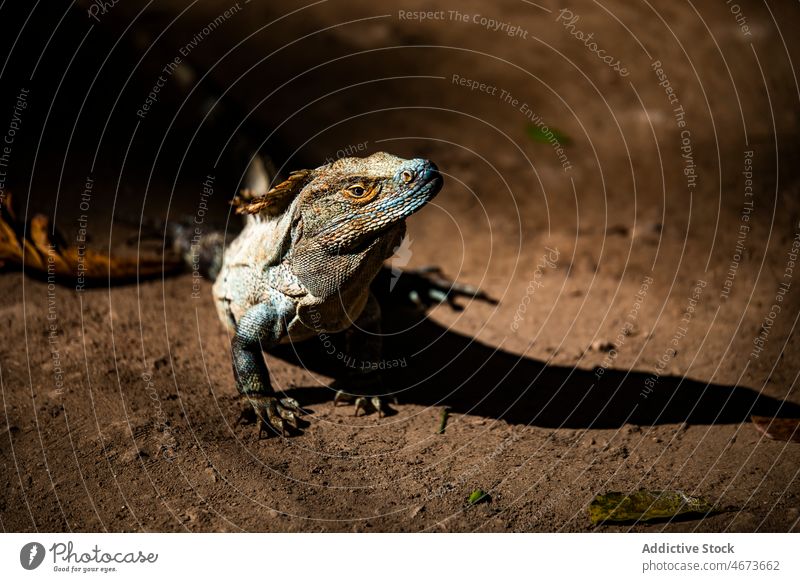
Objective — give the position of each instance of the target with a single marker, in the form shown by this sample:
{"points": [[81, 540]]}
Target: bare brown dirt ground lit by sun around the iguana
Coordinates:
{"points": [[635, 271]]}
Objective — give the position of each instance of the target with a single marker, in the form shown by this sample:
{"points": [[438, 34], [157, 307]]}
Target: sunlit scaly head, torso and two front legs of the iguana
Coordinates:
{"points": [[303, 265]]}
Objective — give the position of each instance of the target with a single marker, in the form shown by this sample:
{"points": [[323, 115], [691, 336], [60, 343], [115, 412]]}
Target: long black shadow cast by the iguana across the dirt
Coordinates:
{"points": [[431, 365]]}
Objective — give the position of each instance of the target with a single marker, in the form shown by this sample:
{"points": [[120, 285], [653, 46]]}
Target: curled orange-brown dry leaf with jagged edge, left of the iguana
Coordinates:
{"points": [[39, 251]]}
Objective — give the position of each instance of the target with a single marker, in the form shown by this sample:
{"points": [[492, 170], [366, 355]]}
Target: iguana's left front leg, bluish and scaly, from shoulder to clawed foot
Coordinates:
{"points": [[261, 328]]}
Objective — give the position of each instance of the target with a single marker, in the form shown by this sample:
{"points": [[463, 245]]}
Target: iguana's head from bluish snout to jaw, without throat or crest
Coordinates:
{"points": [[353, 200]]}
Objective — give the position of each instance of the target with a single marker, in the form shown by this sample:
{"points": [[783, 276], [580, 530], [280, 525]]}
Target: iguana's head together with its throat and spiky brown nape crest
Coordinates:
{"points": [[347, 216]]}
